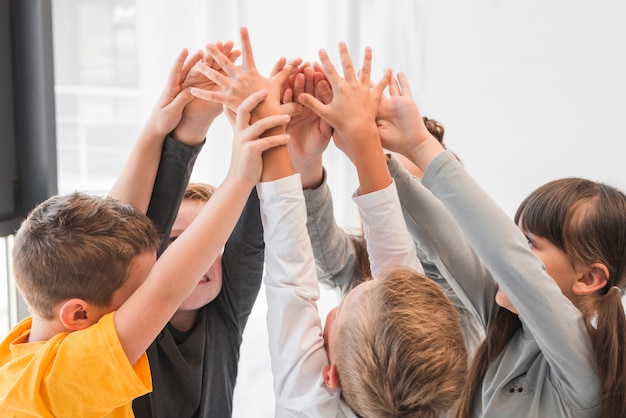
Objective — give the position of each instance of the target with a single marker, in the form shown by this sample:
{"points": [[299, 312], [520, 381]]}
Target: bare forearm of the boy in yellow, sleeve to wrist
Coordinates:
{"points": [[176, 273]]}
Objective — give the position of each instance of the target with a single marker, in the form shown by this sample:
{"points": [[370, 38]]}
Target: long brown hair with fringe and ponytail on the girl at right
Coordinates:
{"points": [[587, 220]]}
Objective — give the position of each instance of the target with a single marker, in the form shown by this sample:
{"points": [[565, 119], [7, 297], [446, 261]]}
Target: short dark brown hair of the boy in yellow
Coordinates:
{"points": [[78, 246]]}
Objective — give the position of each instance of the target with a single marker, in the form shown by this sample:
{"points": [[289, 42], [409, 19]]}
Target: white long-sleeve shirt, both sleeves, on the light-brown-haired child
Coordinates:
{"points": [[297, 350]]}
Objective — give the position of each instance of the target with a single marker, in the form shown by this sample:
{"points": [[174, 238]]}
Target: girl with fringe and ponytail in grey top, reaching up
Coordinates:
{"points": [[555, 340]]}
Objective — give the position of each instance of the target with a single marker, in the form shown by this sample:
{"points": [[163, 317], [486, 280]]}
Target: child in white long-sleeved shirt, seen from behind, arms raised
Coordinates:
{"points": [[306, 363]]}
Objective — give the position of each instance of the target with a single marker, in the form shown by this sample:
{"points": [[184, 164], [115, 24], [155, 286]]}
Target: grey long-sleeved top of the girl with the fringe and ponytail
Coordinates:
{"points": [[547, 369]]}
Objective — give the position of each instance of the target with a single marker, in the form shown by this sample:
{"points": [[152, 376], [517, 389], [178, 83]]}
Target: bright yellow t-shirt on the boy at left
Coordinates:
{"points": [[76, 374]]}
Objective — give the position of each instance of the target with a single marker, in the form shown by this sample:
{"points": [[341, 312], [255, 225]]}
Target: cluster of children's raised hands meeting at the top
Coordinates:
{"points": [[301, 105]]}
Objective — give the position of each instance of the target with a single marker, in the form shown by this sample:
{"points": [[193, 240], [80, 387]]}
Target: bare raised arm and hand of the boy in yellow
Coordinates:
{"points": [[148, 309]]}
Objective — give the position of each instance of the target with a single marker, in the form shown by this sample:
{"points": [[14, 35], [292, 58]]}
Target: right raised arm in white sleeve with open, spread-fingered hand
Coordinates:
{"points": [[352, 113]]}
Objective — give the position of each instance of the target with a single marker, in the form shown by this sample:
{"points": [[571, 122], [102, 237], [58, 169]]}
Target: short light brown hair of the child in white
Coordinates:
{"points": [[401, 353]]}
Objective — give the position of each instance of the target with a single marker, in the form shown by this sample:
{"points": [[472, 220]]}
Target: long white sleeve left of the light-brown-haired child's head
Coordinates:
{"points": [[297, 351]]}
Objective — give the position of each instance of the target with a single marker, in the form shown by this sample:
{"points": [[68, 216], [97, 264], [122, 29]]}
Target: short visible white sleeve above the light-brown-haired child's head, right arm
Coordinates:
{"points": [[388, 240]]}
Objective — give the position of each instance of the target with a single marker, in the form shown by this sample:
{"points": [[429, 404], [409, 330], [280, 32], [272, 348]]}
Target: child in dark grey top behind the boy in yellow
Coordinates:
{"points": [[194, 359]]}
